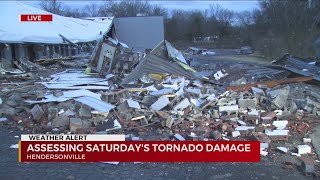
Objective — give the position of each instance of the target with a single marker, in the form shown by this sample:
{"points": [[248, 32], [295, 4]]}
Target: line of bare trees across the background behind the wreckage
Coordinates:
{"points": [[274, 28]]}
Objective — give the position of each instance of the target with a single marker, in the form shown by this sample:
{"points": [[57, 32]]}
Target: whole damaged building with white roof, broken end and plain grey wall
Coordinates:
{"points": [[23, 43]]}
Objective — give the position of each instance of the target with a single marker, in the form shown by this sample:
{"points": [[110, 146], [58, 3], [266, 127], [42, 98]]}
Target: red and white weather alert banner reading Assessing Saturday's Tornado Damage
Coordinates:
{"points": [[114, 148]]}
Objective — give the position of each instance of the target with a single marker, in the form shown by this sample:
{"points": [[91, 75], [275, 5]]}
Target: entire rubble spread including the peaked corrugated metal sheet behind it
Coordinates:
{"points": [[167, 106]]}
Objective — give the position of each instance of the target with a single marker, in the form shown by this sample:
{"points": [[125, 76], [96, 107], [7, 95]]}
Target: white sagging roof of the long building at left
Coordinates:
{"points": [[74, 29]]}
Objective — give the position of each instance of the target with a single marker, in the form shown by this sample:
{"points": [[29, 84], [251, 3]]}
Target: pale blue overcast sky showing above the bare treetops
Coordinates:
{"points": [[185, 5]]}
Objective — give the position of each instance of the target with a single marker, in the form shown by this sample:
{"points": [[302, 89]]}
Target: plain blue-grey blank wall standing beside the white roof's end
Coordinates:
{"points": [[142, 33]]}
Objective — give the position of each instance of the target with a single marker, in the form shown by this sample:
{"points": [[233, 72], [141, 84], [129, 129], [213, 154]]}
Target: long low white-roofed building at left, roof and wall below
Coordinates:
{"points": [[63, 37]]}
